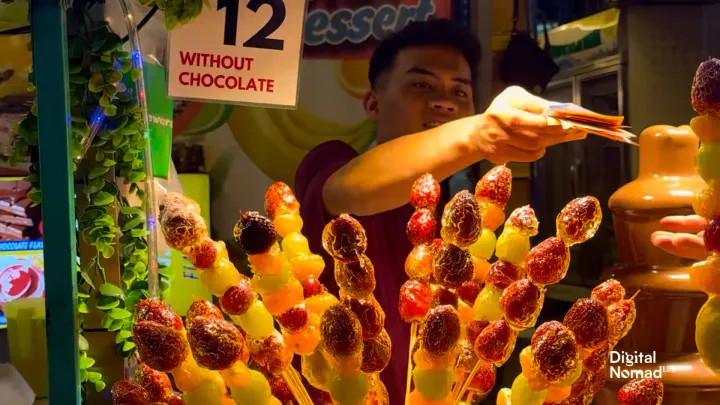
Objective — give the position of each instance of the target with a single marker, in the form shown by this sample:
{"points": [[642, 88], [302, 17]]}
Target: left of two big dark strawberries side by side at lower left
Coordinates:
{"points": [[160, 347]]}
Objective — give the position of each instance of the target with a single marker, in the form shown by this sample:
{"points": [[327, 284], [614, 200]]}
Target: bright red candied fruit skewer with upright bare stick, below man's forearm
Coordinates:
{"points": [[416, 294]]}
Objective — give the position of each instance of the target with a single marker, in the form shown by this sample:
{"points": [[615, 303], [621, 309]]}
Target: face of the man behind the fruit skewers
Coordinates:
{"points": [[427, 87]]}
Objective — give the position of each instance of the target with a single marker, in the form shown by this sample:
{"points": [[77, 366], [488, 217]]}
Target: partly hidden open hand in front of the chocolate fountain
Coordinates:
{"points": [[684, 238]]}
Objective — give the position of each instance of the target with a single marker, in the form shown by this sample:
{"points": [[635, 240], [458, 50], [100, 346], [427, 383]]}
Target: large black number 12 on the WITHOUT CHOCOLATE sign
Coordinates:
{"points": [[261, 38]]}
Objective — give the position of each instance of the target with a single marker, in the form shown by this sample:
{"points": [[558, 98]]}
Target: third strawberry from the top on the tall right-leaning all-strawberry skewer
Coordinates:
{"points": [[521, 303]]}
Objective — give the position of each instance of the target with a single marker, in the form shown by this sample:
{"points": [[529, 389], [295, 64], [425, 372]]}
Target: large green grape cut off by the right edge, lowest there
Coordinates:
{"points": [[707, 330]]}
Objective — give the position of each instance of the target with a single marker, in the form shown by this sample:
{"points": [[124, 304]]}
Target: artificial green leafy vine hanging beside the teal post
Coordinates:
{"points": [[99, 96]]}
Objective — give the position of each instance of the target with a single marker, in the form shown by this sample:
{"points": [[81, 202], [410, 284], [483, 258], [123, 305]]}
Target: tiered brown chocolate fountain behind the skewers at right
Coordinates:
{"points": [[667, 303]]}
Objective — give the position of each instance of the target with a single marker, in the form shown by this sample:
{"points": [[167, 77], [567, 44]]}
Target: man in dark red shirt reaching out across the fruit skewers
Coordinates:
{"points": [[421, 101]]}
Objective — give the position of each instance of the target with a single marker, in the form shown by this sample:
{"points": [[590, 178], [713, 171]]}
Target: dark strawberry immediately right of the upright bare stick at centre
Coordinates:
{"points": [[441, 331]]}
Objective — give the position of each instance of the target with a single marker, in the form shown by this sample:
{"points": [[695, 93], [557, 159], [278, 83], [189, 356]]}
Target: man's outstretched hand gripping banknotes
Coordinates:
{"points": [[513, 129]]}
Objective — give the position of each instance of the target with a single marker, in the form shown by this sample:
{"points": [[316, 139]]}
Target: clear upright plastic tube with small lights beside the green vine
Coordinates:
{"points": [[150, 206]]}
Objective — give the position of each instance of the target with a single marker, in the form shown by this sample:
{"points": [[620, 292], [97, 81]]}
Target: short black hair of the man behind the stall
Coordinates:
{"points": [[441, 32]]}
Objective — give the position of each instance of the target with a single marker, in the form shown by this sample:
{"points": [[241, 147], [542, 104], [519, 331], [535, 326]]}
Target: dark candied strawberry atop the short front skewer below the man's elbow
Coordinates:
{"points": [[341, 331]]}
